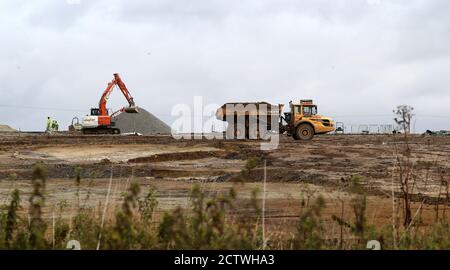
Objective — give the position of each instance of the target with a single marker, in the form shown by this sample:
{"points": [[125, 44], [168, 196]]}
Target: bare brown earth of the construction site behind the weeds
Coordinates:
{"points": [[297, 172]]}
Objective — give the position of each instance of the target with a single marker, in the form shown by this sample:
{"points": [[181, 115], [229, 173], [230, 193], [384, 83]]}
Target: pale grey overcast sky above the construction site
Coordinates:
{"points": [[357, 59]]}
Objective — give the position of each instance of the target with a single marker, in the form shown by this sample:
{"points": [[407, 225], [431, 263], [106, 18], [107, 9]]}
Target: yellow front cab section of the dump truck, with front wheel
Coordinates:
{"points": [[303, 121]]}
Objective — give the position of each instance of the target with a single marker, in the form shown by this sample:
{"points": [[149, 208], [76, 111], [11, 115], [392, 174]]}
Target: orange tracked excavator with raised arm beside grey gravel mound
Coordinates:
{"points": [[99, 121]]}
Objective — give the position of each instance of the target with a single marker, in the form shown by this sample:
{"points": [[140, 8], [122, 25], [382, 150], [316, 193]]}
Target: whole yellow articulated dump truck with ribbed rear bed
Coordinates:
{"points": [[255, 120]]}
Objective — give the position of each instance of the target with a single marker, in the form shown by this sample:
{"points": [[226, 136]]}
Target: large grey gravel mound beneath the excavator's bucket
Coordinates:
{"points": [[142, 122]]}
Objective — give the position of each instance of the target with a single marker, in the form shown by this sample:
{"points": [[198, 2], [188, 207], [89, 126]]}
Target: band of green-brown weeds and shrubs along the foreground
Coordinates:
{"points": [[211, 222]]}
